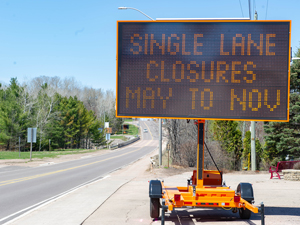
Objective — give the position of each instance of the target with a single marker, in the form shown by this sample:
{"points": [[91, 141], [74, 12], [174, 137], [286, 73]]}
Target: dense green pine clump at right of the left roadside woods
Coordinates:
{"points": [[73, 126]]}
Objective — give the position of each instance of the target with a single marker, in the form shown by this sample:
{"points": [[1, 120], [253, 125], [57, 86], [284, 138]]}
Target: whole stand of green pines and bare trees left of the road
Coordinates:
{"points": [[61, 110]]}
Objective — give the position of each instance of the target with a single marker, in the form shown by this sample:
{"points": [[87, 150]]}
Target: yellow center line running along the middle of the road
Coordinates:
{"points": [[3, 183]]}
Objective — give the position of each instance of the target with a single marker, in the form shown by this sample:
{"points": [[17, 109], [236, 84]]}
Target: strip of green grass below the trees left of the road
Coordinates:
{"points": [[41, 154]]}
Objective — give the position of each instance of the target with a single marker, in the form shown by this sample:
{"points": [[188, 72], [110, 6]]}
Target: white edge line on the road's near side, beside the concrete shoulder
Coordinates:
{"points": [[49, 200]]}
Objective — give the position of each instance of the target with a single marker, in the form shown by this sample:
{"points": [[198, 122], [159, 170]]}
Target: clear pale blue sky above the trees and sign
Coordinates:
{"points": [[77, 38]]}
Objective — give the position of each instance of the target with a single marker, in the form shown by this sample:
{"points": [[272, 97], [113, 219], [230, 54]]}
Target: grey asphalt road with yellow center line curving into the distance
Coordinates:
{"points": [[26, 188]]}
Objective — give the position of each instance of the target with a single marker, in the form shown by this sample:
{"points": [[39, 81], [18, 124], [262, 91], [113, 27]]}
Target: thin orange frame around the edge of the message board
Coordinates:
{"points": [[203, 21]]}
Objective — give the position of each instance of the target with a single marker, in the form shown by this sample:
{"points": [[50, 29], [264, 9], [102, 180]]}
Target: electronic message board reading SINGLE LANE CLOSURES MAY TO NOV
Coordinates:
{"points": [[203, 69]]}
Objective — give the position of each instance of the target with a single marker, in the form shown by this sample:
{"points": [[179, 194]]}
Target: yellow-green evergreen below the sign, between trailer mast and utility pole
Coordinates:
{"points": [[229, 136]]}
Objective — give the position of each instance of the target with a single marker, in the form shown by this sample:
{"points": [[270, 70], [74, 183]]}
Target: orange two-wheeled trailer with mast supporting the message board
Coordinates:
{"points": [[205, 189]]}
